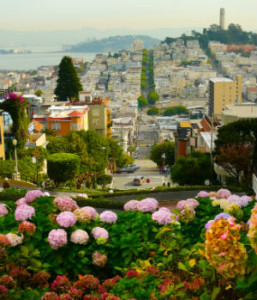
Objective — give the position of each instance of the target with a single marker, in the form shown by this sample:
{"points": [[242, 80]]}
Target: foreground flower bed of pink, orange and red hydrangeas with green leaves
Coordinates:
{"points": [[202, 249]]}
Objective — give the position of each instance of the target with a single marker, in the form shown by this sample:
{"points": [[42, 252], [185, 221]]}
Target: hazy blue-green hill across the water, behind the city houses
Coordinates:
{"points": [[114, 43]]}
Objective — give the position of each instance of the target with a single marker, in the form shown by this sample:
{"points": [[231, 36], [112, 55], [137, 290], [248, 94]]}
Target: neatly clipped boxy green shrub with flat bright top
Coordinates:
{"points": [[62, 167]]}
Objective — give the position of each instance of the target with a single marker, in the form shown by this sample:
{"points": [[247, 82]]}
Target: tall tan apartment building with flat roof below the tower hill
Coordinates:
{"points": [[223, 91]]}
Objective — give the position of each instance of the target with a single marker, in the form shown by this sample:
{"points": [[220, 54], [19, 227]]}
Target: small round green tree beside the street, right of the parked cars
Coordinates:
{"points": [[163, 152]]}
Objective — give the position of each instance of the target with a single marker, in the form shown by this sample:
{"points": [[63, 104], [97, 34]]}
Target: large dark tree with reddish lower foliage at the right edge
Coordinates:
{"points": [[240, 140]]}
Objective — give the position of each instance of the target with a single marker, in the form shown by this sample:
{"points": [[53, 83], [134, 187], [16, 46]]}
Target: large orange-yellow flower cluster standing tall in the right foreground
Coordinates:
{"points": [[223, 249]]}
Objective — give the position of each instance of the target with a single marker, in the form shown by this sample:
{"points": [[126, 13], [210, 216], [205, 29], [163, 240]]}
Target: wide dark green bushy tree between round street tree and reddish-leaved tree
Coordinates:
{"points": [[193, 169]]}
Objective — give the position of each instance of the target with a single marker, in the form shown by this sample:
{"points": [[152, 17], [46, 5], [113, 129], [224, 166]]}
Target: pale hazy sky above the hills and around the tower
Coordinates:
{"points": [[135, 14]]}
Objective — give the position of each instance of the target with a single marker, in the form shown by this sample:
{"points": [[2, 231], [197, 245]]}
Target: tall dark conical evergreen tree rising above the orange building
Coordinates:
{"points": [[68, 83]]}
